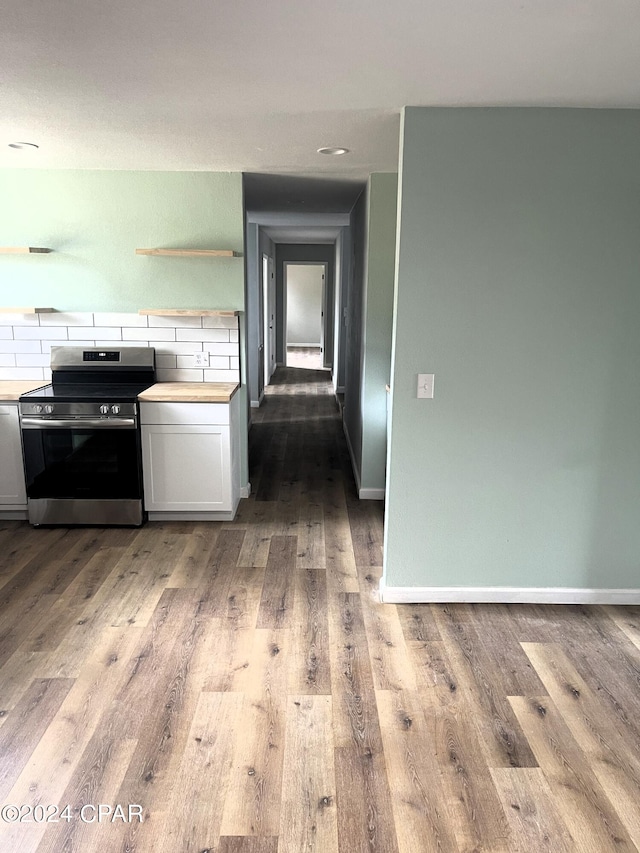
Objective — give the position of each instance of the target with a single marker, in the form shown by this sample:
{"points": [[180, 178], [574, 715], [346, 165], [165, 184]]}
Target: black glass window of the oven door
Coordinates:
{"points": [[82, 463]]}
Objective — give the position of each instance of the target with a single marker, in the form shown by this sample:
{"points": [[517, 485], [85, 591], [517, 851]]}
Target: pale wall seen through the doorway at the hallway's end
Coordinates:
{"points": [[304, 304]]}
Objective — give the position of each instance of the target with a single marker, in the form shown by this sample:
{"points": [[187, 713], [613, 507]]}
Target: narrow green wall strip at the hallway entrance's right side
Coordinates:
{"points": [[378, 321]]}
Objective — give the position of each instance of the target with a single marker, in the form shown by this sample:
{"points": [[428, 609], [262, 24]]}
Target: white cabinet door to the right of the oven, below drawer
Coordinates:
{"points": [[186, 468]]}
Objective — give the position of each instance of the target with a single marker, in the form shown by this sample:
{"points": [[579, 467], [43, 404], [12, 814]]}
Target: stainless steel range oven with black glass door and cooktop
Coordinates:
{"points": [[81, 437]]}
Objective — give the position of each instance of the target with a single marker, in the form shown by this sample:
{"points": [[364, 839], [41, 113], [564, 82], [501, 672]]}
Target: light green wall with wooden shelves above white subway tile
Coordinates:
{"points": [[94, 221]]}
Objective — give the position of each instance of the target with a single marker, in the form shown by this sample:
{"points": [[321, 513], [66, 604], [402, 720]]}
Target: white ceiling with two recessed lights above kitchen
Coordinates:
{"points": [[253, 86]]}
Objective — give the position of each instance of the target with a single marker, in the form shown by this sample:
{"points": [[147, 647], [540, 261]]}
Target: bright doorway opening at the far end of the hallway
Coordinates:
{"points": [[305, 298]]}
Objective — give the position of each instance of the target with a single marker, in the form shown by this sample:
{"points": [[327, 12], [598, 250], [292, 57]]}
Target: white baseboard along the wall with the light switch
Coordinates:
{"points": [[505, 595]]}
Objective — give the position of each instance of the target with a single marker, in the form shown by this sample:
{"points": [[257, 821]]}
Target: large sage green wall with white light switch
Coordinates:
{"points": [[518, 285]]}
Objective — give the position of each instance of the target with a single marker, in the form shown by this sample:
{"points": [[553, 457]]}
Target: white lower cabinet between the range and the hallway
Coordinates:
{"points": [[190, 460]]}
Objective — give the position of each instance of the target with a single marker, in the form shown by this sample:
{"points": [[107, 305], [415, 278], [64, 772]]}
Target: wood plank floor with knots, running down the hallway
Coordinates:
{"points": [[242, 684]]}
